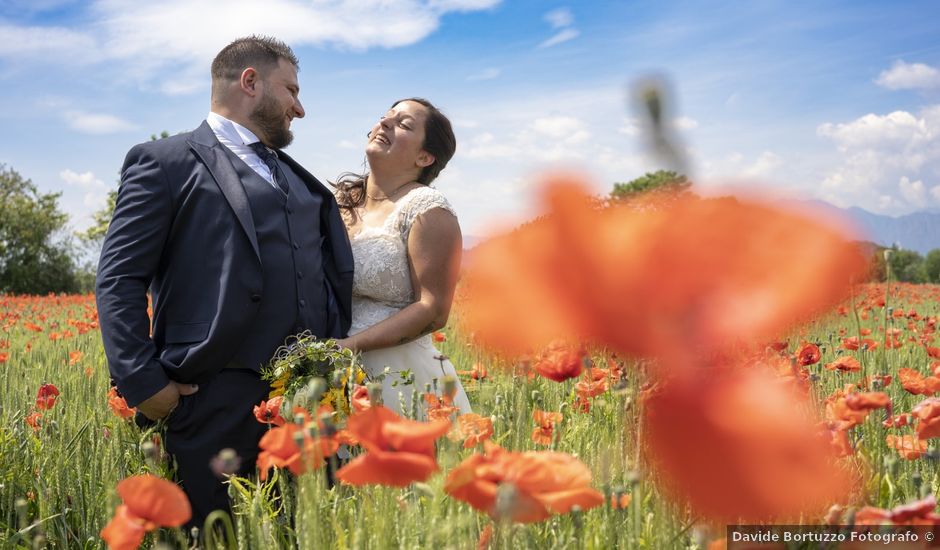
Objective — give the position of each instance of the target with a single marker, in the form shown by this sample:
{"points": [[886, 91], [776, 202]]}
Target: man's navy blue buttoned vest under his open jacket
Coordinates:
{"points": [[296, 296]]}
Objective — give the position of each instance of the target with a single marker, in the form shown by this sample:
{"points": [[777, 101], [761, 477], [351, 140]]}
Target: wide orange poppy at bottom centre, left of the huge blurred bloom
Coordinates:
{"points": [[537, 484]]}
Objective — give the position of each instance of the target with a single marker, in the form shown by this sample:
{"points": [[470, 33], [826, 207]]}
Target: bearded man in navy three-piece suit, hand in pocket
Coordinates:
{"points": [[239, 247]]}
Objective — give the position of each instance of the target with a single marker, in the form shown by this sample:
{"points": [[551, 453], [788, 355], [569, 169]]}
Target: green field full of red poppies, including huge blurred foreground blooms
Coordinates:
{"points": [[627, 399]]}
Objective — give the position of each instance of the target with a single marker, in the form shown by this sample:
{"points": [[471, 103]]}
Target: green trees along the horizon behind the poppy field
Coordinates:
{"points": [[39, 255]]}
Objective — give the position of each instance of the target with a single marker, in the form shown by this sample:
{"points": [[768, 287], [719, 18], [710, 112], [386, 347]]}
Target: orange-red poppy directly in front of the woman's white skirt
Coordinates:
{"points": [[398, 451]]}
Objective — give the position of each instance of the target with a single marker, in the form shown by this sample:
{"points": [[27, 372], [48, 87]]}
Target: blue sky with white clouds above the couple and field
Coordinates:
{"points": [[837, 101]]}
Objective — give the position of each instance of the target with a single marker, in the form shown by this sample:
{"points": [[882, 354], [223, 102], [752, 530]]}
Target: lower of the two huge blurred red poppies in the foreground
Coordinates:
{"points": [[735, 447]]}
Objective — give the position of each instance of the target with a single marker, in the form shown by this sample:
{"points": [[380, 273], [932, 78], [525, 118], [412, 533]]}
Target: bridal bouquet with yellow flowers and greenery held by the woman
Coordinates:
{"points": [[306, 368]]}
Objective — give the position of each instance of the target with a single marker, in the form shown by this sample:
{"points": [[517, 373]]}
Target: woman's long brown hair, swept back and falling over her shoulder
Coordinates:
{"points": [[439, 141]]}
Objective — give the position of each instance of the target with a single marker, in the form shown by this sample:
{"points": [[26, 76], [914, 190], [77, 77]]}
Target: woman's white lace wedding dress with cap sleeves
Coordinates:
{"points": [[381, 288]]}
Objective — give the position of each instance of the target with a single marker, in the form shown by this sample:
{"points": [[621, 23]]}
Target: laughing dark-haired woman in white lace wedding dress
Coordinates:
{"points": [[406, 245]]}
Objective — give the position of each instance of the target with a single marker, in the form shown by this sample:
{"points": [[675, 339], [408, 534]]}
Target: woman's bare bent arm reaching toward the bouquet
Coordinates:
{"points": [[434, 249]]}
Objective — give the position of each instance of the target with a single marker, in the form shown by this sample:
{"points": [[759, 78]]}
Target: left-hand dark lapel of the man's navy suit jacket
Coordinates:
{"points": [[207, 147]]}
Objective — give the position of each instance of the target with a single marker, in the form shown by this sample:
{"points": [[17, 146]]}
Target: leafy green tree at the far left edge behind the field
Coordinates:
{"points": [[36, 255]]}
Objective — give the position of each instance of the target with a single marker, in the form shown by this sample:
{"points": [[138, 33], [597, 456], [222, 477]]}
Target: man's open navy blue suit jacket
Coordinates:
{"points": [[182, 227]]}
